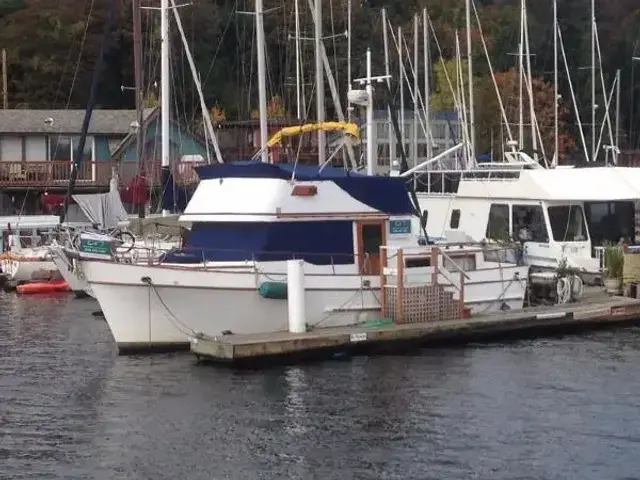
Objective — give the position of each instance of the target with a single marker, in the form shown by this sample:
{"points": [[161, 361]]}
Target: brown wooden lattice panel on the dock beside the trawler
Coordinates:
{"points": [[422, 304]]}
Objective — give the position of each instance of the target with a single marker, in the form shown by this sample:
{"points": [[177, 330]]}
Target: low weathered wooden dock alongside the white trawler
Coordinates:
{"points": [[596, 311]]}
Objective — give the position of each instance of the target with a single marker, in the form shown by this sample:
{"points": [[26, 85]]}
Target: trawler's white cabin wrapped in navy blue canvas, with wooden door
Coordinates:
{"points": [[274, 212]]}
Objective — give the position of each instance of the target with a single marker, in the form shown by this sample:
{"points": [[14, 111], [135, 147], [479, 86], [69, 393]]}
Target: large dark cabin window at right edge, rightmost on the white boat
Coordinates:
{"points": [[608, 221]]}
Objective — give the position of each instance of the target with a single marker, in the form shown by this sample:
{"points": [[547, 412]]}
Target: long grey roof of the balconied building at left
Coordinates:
{"points": [[106, 122]]}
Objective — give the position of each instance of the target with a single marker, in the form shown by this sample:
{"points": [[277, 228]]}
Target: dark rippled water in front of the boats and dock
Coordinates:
{"points": [[551, 409]]}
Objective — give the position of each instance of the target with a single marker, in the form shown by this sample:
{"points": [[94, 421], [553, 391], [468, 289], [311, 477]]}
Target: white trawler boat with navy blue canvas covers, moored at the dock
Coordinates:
{"points": [[246, 221]]}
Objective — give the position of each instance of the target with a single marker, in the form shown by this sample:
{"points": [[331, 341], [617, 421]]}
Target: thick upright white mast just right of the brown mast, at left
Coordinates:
{"points": [[165, 101]]}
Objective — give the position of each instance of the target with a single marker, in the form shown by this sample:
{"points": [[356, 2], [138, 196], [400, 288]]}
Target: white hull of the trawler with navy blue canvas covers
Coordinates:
{"points": [[159, 307]]}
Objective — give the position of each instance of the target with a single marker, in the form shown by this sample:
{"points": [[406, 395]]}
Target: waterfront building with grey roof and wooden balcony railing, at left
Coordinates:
{"points": [[37, 148]]}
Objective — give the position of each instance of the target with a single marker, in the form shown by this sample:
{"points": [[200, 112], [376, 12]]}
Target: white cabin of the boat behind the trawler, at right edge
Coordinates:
{"points": [[556, 213]]}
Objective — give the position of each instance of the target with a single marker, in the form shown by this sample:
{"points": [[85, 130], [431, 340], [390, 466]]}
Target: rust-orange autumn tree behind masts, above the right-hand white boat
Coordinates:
{"points": [[491, 132]]}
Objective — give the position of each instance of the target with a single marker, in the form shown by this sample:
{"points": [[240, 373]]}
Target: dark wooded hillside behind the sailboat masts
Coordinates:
{"points": [[52, 48]]}
